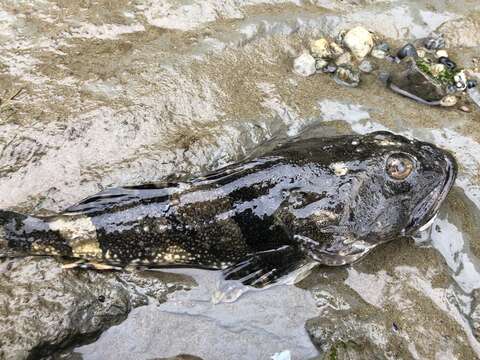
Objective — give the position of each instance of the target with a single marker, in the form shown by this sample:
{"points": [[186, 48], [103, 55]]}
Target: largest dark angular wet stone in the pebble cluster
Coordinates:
{"points": [[417, 85]]}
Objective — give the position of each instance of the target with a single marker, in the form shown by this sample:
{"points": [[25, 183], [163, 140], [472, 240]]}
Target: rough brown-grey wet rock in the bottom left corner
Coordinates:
{"points": [[45, 308]]}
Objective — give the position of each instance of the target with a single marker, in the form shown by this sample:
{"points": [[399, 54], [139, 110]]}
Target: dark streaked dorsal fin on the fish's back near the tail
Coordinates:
{"points": [[124, 197]]}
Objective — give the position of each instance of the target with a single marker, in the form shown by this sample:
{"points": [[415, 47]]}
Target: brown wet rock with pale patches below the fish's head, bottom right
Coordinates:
{"points": [[385, 309]]}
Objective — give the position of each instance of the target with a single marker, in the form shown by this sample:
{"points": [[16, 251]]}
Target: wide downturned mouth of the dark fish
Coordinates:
{"points": [[425, 212]]}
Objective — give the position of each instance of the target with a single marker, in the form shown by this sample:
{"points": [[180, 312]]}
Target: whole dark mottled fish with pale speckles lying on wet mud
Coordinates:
{"points": [[318, 200]]}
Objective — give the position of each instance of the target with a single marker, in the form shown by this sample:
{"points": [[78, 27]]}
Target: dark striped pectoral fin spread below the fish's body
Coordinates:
{"points": [[265, 267]]}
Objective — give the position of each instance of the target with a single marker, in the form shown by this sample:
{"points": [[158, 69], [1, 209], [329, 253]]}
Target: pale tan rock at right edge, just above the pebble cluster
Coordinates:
{"points": [[462, 32]]}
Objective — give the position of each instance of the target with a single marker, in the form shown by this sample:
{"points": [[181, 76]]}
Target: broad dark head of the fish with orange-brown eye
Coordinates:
{"points": [[400, 185]]}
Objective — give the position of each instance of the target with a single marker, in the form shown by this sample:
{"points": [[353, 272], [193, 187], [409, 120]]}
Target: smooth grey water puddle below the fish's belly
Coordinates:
{"points": [[258, 325]]}
